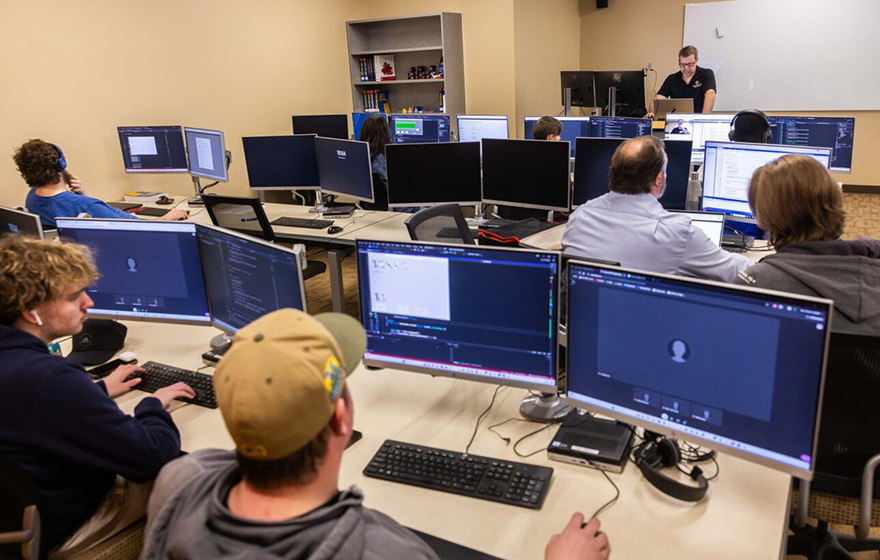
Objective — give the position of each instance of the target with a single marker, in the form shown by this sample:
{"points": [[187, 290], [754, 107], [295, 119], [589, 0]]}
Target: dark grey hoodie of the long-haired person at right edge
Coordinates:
{"points": [[847, 272]]}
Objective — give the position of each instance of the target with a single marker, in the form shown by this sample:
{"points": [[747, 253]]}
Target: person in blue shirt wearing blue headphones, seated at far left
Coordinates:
{"points": [[44, 168]]}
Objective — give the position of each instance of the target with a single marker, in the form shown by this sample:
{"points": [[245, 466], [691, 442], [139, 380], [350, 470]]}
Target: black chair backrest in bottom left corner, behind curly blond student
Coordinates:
{"points": [[19, 518]]}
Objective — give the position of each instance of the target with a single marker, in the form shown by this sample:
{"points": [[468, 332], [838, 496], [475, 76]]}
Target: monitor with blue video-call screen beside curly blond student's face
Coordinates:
{"points": [[150, 270]]}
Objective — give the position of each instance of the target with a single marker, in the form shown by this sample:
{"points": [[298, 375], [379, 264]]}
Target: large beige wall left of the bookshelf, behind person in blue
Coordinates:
{"points": [[72, 71]]}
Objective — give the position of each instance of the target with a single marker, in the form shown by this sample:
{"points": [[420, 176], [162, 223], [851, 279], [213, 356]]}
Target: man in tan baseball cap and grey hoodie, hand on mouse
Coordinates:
{"points": [[282, 391]]}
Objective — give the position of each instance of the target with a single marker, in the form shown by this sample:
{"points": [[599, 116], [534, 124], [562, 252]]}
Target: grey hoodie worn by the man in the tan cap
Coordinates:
{"points": [[188, 519]]}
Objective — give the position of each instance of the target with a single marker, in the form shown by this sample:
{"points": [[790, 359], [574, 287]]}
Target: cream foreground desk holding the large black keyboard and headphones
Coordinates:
{"points": [[744, 516]]}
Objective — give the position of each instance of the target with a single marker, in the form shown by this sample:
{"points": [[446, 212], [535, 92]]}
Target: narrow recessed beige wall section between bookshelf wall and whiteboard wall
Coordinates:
{"points": [[547, 41]]}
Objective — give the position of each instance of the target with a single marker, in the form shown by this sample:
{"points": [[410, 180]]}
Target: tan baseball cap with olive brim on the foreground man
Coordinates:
{"points": [[278, 383]]}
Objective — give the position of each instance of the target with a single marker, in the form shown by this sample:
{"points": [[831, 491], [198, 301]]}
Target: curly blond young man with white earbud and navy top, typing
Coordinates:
{"points": [[87, 460]]}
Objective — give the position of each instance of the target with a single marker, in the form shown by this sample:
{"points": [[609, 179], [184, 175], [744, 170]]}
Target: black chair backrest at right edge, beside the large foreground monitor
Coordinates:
{"points": [[850, 431]]}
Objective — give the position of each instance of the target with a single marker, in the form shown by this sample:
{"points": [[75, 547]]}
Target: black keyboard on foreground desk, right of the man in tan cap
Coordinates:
{"points": [[518, 484]]}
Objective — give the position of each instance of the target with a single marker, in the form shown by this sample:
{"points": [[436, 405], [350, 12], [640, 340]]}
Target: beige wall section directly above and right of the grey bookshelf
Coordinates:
{"points": [[487, 29]]}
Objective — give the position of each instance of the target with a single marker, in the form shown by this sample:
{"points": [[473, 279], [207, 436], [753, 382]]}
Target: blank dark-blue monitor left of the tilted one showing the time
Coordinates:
{"points": [[281, 162]]}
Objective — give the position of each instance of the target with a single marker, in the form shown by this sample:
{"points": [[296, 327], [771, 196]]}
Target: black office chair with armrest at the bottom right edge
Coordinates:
{"points": [[843, 490]]}
